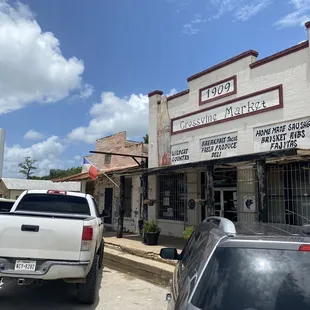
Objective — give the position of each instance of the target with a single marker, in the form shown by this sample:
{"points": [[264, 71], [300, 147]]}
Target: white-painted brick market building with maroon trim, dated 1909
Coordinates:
{"points": [[234, 143]]}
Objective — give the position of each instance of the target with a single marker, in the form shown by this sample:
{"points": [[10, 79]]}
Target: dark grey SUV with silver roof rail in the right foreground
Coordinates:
{"points": [[236, 266]]}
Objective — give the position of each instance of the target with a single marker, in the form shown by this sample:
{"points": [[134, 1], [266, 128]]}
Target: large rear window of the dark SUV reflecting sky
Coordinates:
{"points": [[255, 279]]}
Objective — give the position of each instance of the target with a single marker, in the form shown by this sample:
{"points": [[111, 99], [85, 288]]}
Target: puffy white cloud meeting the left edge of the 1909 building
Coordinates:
{"points": [[114, 114]]}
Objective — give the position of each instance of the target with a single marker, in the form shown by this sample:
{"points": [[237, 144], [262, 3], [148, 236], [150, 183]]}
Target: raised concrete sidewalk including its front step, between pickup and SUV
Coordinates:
{"points": [[131, 253]]}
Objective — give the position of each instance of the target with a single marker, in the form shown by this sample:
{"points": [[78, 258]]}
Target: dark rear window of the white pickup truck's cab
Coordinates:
{"points": [[54, 203]]}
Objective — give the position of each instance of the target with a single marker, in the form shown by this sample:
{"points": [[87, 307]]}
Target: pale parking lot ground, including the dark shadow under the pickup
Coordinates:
{"points": [[117, 291]]}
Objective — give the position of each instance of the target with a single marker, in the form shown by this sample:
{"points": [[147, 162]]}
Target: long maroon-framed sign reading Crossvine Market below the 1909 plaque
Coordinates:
{"points": [[258, 102]]}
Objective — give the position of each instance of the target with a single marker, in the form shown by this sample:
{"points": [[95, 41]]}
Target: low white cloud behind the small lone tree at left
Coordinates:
{"points": [[46, 153]]}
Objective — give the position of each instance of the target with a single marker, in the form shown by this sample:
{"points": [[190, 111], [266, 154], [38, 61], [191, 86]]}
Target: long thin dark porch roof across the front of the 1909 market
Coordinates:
{"points": [[278, 156]]}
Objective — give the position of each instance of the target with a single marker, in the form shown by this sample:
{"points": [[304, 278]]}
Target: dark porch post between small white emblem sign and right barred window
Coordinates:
{"points": [[262, 190]]}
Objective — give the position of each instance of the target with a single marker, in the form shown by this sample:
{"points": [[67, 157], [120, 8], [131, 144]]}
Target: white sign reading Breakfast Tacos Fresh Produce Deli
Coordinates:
{"points": [[219, 146]]}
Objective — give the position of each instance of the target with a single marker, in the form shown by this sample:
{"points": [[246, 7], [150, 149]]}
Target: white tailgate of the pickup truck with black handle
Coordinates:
{"points": [[40, 237]]}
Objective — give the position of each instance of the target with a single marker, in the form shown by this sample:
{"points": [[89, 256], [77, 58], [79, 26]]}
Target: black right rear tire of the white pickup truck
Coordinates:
{"points": [[86, 292]]}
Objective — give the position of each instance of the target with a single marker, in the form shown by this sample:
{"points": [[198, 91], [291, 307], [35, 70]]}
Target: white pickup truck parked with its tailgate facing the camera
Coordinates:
{"points": [[50, 235]]}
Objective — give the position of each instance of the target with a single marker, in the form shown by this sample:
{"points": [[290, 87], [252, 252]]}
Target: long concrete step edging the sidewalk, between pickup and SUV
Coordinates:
{"points": [[141, 266]]}
